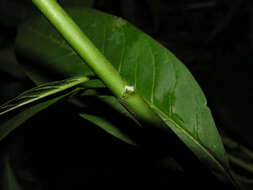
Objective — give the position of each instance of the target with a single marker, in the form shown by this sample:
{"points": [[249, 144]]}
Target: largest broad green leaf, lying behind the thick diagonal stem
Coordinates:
{"points": [[155, 72]]}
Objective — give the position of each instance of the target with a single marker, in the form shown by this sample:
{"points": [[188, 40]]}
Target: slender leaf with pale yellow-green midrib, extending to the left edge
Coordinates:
{"points": [[12, 115]]}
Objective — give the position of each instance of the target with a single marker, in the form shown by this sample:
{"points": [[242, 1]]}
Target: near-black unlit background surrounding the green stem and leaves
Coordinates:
{"points": [[213, 38]]}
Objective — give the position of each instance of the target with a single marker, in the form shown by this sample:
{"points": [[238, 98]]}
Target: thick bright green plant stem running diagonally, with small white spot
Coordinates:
{"points": [[96, 60]]}
